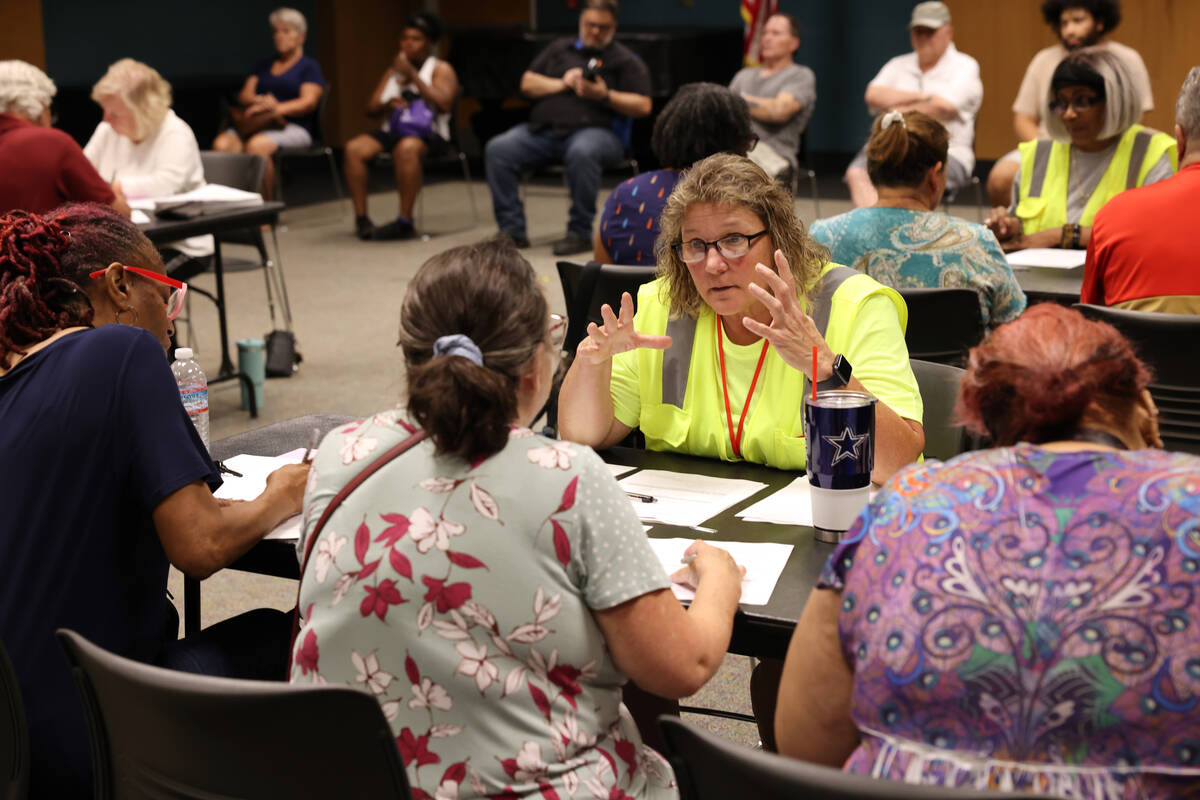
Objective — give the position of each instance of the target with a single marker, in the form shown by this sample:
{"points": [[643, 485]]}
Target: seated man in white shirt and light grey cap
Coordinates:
{"points": [[935, 80]]}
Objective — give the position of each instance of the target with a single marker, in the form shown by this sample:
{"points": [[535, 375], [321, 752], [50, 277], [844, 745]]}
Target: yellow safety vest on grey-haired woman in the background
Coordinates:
{"points": [[1046, 169]]}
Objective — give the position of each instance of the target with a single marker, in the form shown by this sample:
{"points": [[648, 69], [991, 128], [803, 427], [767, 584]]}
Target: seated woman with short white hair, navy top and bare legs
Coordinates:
{"points": [[280, 99]]}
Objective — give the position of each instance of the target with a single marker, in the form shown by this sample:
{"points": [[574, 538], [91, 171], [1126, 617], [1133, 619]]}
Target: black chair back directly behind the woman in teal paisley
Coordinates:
{"points": [[944, 324]]}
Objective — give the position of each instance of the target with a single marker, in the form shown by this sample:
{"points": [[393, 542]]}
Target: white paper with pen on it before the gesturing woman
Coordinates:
{"points": [[685, 498]]}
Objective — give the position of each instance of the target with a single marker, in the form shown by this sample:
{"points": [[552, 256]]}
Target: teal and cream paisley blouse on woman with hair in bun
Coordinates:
{"points": [[905, 249]]}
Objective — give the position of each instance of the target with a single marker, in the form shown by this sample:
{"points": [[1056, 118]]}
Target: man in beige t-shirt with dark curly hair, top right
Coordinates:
{"points": [[1079, 23]]}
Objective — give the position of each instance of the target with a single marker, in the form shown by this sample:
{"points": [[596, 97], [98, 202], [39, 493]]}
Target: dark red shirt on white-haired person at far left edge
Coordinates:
{"points": [[43, 169]]}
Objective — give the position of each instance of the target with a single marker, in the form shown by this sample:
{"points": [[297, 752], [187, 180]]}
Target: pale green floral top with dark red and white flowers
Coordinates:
{"points": [[461, 596]]}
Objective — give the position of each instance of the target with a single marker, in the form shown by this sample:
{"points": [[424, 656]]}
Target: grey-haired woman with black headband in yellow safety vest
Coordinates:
{"points": [[1099, 152]]}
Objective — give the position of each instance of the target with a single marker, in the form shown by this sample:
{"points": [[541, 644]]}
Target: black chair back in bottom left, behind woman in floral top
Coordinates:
{"points": [[158, 733]]}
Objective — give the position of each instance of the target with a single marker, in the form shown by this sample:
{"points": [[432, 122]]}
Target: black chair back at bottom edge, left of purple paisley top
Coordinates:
{"points": [[711, 768]]}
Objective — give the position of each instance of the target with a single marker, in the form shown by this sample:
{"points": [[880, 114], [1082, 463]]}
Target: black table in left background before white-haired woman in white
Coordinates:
{"points": [[161, 232]]}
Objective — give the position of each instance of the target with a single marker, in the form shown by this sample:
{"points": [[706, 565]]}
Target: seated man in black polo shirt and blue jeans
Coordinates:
{"points": [[585, 91]]}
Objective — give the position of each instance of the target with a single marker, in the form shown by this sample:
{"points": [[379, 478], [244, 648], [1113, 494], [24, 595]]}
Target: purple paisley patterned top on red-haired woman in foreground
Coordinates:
{"points": [[1028, 619]]}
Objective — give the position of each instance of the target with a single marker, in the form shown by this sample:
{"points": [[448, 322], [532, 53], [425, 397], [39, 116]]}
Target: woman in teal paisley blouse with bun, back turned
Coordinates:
{"points": [[903, 242]]}
